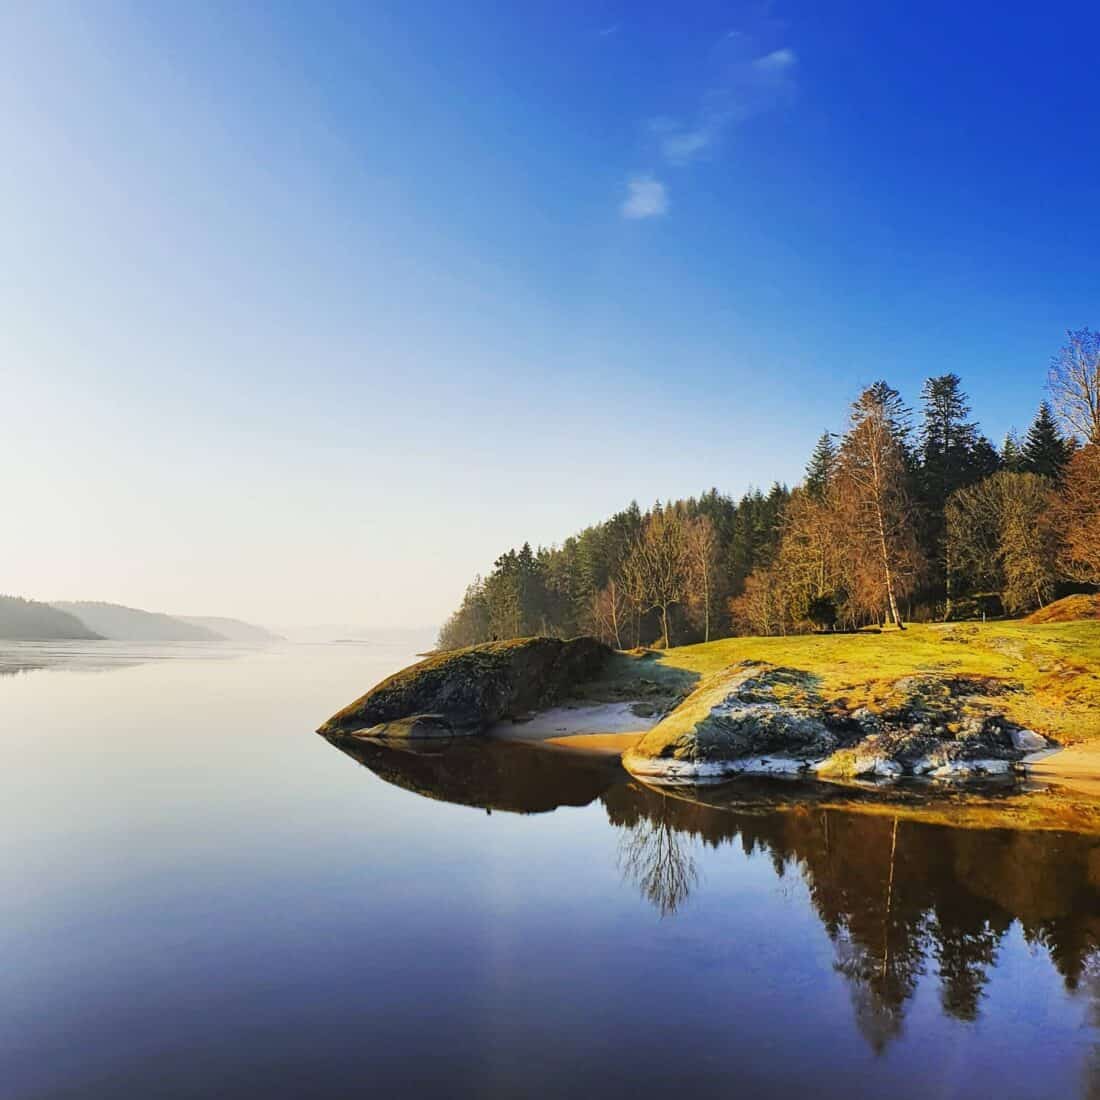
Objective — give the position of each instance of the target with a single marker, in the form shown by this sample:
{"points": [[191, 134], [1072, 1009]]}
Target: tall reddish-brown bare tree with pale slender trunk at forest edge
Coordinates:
{"points": [[873, 483]]}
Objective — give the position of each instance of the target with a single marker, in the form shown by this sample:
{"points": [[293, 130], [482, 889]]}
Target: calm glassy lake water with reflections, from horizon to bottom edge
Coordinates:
{"points": [[203, 898]]}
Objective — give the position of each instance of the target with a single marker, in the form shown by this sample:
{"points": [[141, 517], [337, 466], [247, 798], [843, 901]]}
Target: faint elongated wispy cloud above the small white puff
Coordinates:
{"points": [[747, 82]]}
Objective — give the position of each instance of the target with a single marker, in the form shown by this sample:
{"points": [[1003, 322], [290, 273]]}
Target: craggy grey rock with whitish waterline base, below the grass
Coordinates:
{"points": [[763, 720]]}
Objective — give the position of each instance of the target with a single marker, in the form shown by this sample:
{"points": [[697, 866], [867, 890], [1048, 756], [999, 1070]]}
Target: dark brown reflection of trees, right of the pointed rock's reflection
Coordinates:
{"points": [[898, 898]]}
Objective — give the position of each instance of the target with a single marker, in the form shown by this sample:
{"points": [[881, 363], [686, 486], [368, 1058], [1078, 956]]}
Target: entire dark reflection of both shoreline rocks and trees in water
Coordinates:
{"points": [[899, 898]]}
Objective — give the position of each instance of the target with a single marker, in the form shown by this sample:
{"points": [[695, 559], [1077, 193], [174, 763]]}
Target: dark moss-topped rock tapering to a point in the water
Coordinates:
{"points": [[469, 690]]}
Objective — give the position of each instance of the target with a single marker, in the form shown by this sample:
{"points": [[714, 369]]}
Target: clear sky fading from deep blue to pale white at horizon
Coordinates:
{"points": [[309, 312]]}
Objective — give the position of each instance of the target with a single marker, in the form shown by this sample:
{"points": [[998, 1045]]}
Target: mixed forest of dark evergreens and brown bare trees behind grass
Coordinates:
{"points": [[901, 518]]}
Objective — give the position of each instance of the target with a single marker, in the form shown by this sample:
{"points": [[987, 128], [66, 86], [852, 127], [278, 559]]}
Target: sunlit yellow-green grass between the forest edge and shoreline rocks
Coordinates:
{"points": [[1054, 669]]}
